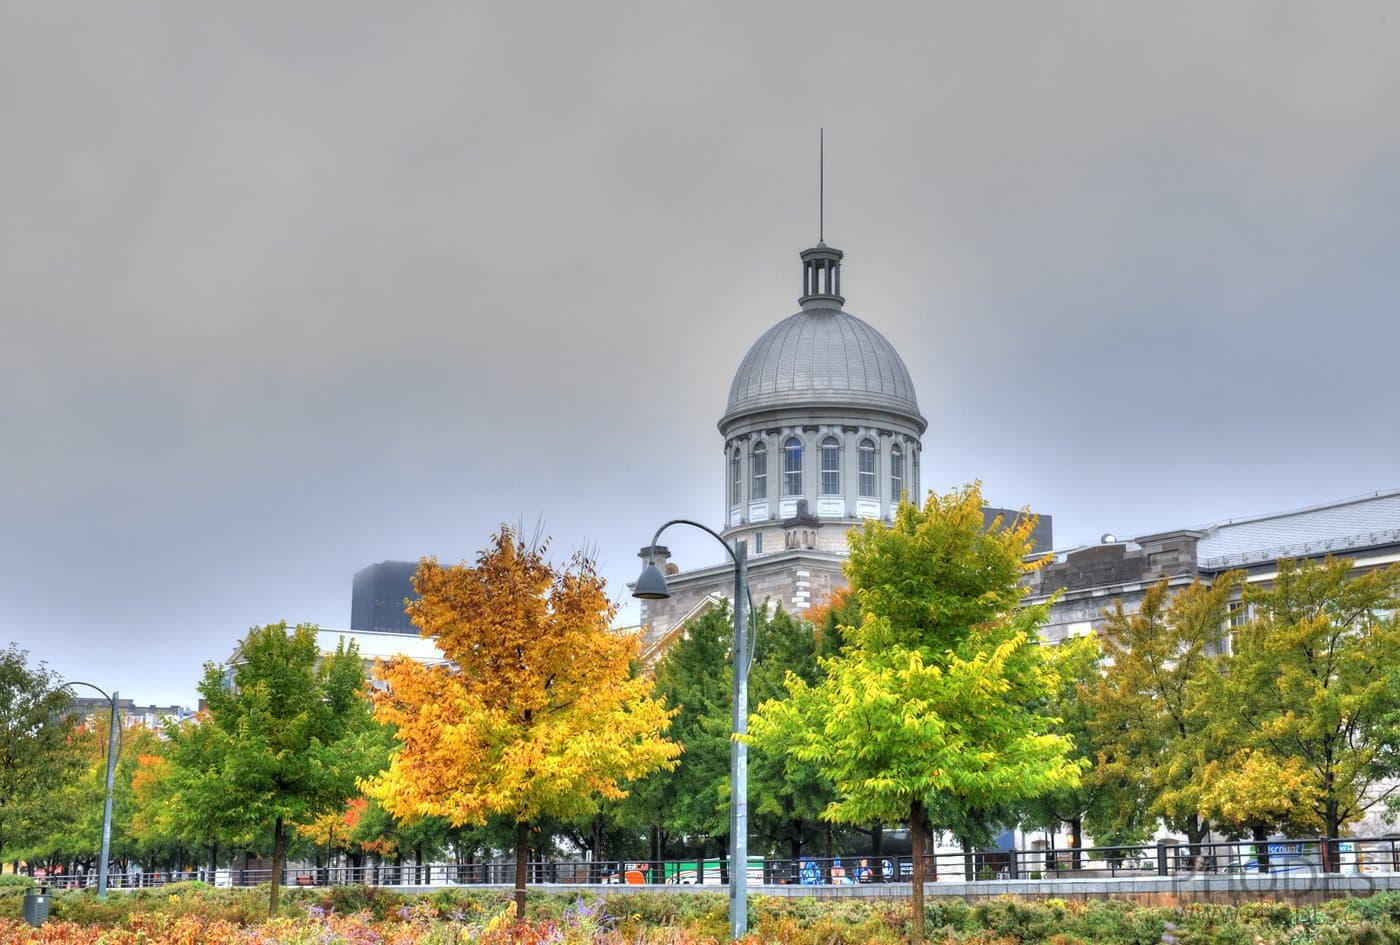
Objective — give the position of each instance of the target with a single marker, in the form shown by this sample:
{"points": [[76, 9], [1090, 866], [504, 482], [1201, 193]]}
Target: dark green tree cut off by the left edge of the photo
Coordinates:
{"points": [[38, 751]]}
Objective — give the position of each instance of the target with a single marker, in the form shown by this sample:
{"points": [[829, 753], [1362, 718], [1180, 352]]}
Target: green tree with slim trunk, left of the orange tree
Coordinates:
{"points": [[278, 743]]}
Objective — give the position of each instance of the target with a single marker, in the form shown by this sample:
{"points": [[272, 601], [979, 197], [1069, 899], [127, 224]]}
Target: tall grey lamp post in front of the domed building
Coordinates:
{"points": [[652, 586]]}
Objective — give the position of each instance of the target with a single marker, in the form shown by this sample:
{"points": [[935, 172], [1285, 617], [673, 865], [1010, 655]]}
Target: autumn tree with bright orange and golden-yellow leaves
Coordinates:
{"points": [[535, 716]]}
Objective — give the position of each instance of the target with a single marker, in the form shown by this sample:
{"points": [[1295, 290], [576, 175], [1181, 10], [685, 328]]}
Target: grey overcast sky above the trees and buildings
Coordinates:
{"points": [[292, 289]]}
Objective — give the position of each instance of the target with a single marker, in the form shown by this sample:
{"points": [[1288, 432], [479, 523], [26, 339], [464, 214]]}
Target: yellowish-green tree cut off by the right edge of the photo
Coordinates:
{"points": [[1315, 675]]}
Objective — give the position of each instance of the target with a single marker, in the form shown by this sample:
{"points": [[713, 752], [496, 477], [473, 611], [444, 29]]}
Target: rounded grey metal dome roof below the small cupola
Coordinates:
{"points": [[822, 356]]}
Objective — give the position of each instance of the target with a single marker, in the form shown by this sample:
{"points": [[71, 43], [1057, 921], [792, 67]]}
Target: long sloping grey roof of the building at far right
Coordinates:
{"points": [[1336, 528]]}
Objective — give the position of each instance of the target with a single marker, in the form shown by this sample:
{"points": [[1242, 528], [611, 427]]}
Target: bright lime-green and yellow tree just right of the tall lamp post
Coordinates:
{"points": [[934, 702]]}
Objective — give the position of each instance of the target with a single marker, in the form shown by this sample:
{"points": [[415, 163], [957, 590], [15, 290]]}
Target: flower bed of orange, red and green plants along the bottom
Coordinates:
{"points": [[197, 915]]}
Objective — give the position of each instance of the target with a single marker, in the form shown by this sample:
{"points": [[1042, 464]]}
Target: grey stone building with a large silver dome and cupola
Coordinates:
{"points": [[822, 430]]}
